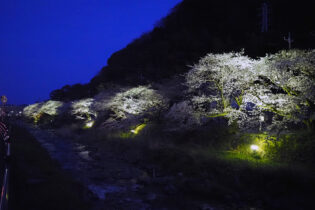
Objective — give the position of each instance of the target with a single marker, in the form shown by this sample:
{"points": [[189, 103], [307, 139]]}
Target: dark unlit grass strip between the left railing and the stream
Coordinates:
{"points": [[37, 182]]}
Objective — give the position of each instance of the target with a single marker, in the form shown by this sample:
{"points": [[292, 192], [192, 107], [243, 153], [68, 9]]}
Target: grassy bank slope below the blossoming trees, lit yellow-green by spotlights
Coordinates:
{"points": [[218, 167]]}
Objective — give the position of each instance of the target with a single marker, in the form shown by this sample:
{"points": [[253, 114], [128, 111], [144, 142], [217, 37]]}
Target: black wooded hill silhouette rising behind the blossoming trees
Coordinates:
{"points": [[194, 28]]}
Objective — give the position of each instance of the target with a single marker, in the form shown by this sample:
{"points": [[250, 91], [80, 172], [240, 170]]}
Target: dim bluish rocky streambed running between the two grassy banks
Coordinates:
{"points": [[115, 182]]}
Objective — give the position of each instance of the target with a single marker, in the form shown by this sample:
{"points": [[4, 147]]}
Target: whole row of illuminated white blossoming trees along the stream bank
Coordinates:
{"points": [[275, 93]]}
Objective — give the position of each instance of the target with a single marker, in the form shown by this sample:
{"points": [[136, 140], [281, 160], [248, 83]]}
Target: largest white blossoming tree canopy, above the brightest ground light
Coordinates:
{"points": [[277, 89]]}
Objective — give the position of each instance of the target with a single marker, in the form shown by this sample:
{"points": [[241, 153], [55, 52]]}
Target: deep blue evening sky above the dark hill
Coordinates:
{"points": [[46, 44]]}
